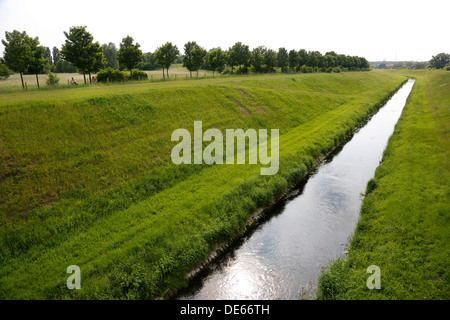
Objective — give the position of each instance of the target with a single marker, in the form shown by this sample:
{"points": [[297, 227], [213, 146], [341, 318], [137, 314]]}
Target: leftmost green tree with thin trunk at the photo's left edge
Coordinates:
{"points": [[18, 51]]}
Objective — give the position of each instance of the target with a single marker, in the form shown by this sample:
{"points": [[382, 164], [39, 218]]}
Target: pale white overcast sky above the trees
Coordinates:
{"points": [[376, 30]]}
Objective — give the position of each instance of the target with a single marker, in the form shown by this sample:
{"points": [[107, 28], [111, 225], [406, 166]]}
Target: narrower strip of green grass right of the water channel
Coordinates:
{"points": [[404, 227]]}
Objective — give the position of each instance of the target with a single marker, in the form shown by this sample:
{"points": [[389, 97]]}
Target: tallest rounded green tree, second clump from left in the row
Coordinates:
{"points": [[80, 50]]}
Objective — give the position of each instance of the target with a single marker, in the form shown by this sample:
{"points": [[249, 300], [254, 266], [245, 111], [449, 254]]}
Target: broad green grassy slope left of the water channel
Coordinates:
{"points": [[86, 175]]}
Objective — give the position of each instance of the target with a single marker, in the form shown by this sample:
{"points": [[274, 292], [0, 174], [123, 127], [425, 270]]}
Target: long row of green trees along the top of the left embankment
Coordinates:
{"points": [[24, 54]]}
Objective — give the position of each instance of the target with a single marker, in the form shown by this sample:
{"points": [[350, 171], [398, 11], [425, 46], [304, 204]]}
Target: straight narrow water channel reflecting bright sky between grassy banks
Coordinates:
{"points": [[283, 257]]}
